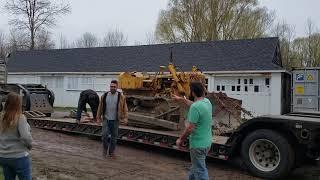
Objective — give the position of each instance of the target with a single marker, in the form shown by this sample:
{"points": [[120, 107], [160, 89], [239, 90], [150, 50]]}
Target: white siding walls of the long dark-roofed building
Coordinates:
{"points": [[266, 101]]}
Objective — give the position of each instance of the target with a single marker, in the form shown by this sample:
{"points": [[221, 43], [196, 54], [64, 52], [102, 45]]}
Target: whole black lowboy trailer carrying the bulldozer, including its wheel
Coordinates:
{"points": [[270, 146]]}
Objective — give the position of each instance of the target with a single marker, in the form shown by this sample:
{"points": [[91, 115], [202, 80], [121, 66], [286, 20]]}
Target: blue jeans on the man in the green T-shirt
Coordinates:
{"points": [[198, 169]]}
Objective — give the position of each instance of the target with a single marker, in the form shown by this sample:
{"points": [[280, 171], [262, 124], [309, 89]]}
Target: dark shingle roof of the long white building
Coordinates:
{"points": [[234, 55]]}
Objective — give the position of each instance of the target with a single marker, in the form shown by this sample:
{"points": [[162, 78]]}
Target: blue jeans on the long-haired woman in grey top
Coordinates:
{"points": [[13, 167]]}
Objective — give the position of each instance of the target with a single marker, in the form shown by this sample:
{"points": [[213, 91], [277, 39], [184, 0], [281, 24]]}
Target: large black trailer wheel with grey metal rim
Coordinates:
{"points": [[267, 154]]}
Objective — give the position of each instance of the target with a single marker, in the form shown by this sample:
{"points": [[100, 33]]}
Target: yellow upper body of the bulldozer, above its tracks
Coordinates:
{"points": [[162, 84]]}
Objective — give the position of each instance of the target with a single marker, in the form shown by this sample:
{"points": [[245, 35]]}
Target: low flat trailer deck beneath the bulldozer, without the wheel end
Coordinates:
{"points": [[160, 138]]}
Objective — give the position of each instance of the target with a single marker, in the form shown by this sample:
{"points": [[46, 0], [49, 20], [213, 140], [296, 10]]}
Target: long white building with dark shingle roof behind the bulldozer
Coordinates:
{"points": [[249, 70]]}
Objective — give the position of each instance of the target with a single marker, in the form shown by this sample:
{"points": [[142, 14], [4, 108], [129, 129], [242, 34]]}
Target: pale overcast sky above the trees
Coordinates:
{"points": [[135, 18]]}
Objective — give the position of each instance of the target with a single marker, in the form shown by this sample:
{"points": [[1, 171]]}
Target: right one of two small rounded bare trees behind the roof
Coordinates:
{"points": [[114, 38]]}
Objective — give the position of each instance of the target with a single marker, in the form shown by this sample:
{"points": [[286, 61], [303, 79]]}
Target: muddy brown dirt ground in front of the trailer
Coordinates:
{"points": [[66, 156]]}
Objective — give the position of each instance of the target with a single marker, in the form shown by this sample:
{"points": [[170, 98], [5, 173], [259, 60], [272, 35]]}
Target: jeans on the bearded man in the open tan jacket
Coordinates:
{"points": [[109, 128]]}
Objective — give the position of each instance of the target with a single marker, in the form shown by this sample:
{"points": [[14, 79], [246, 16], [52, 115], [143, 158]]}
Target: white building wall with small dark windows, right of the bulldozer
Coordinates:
{"points": [[260, 93]]}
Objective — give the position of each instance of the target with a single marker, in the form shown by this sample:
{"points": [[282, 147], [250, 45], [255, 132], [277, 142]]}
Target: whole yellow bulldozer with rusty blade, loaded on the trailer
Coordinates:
{"points": [[150, 104]]}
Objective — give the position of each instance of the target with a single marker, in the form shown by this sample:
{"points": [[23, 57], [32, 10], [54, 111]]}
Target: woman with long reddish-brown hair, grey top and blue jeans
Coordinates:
{"points": [[15, 140]]}
